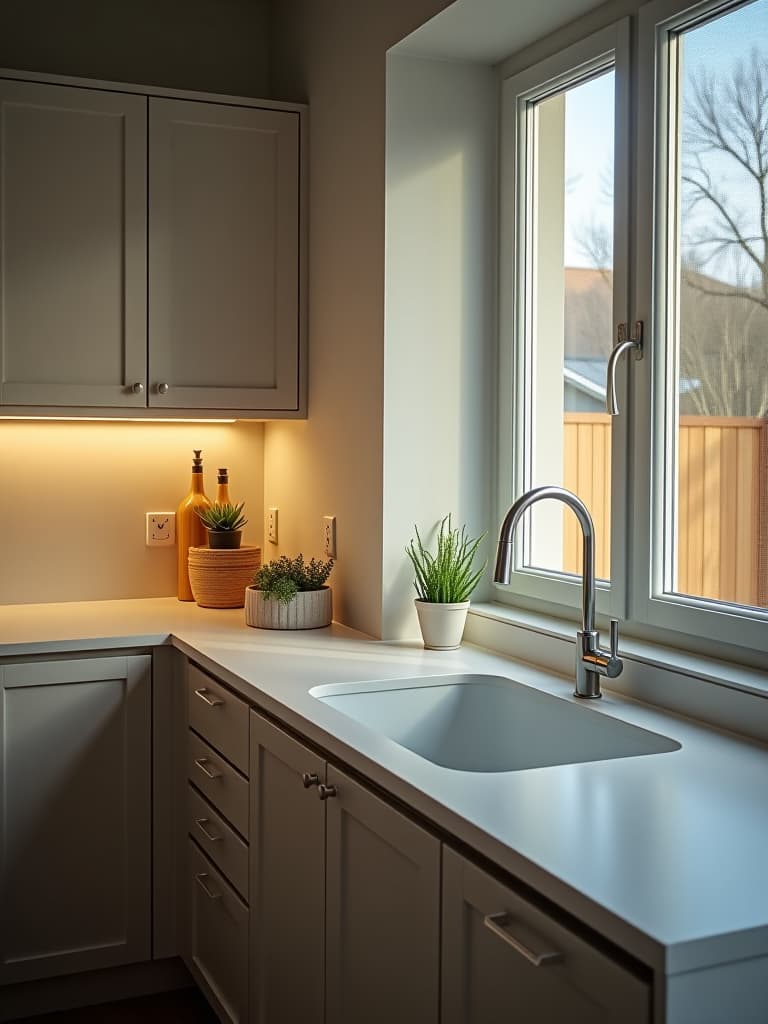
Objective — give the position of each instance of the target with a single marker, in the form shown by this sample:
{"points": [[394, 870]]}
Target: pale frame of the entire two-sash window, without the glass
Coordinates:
{"points": [[642, 441]]}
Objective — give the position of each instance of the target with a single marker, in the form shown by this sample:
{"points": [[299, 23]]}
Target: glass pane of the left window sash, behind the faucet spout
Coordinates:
{"points": [[570, 270]]}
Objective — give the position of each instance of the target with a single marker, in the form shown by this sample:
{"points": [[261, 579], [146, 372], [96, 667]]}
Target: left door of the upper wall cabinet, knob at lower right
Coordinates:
{"points": [[73, 252]]}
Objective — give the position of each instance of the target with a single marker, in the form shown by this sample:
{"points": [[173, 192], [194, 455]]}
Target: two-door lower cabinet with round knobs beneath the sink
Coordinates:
{"points": [[346, 895]]}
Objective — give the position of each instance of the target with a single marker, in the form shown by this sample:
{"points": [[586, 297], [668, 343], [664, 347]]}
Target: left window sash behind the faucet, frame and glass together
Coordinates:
{"points": [[565, 253]]}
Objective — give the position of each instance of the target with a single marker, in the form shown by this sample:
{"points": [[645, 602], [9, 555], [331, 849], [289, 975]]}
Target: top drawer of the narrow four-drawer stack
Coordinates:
{"points": [[217, 714]]}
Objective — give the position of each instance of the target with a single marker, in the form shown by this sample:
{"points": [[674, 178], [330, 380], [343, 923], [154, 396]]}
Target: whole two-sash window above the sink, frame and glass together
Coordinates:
{"points": [[677, 485]]}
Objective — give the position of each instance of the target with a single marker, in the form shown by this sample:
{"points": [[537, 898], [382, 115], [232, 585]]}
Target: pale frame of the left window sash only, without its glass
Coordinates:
{"points": [[609, 48]]}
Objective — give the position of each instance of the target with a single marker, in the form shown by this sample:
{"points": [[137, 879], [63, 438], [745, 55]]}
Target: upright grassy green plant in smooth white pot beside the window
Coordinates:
{"points": [[444, 583]]}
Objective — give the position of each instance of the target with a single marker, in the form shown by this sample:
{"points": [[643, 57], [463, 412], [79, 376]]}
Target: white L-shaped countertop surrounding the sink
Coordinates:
{"points": [[665, 855]]}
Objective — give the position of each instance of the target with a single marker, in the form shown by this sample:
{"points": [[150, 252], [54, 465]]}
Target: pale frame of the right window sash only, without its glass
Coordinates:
{"points": [[738, 625]]}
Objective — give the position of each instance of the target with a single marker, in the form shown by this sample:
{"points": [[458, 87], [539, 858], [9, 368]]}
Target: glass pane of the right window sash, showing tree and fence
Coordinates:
{"points": [[718, 313]]}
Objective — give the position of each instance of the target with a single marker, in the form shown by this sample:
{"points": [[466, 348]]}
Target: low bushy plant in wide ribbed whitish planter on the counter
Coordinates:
{"points": [[290, 594]]}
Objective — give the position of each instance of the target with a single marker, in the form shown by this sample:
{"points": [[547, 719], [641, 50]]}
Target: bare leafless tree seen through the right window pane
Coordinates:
{"points": [[724, 297]]}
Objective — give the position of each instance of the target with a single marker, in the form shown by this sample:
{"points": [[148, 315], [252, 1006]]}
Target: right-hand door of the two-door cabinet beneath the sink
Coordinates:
{"points": [[382, 926]]}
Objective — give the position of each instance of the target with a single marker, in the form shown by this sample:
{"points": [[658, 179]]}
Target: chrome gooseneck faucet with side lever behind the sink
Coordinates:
{"points": [[592, 661]]}
